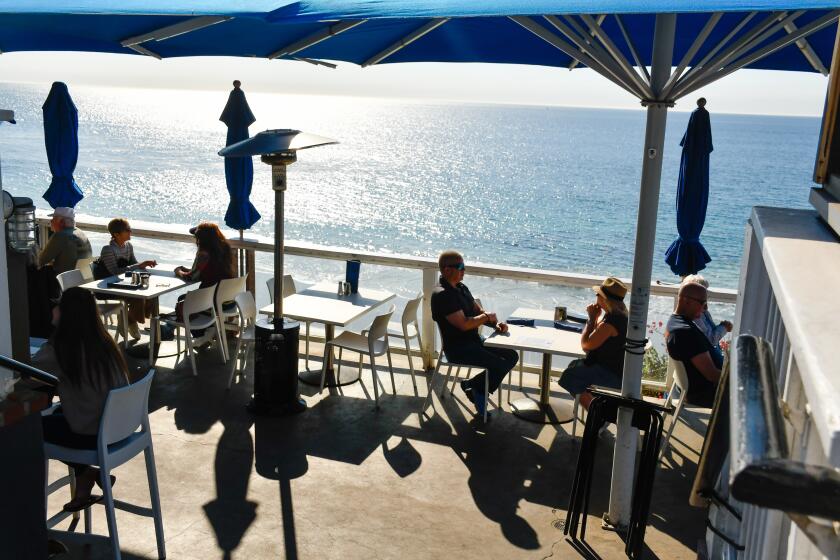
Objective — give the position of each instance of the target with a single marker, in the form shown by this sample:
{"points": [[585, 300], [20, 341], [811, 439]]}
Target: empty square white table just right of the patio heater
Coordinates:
{"points": [[322, 304]]}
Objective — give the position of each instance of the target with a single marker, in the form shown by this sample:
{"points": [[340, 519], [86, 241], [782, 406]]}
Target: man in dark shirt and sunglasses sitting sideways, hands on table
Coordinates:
{"points": [[459, 317]]}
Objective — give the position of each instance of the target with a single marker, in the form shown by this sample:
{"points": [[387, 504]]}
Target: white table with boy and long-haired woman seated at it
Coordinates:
{"points": [[162, 280]]}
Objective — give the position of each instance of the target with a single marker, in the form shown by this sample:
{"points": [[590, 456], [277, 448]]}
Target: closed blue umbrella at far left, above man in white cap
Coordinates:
{"points": [[61, 138]]}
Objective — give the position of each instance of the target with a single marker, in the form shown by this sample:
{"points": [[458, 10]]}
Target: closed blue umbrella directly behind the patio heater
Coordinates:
{"points": [[239, 171]]}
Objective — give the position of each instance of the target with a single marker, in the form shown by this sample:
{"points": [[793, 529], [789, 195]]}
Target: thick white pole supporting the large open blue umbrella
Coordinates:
{"points": [[624, 458]]}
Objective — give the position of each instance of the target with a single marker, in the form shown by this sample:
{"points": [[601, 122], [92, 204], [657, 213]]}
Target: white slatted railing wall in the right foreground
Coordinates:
{"points": [[787, 297]]}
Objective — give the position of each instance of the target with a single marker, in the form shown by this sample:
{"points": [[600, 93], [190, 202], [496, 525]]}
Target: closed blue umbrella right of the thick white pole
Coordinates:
{"points": [[686, 255]]}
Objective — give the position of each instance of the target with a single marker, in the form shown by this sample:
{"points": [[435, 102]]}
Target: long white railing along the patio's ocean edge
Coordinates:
{"points": [[249, 246]]}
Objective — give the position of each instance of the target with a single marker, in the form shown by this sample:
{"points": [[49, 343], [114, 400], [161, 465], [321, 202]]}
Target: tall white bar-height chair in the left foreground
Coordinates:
{"points": [[126, 410]]}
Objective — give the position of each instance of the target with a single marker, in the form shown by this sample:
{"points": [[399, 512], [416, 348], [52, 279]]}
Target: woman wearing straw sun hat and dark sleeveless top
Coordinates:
{"points": [[603, 341]]}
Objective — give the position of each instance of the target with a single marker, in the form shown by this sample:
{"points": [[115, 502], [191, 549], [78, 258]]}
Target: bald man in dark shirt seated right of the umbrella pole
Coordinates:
{"points": [[688, 344]]}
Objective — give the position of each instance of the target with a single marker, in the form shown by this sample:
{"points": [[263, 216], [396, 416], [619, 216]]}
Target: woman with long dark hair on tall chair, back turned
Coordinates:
{"points": [[88, 365]]}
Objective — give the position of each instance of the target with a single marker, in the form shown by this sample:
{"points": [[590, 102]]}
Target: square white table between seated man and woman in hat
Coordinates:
{"points": [[548, 341]]}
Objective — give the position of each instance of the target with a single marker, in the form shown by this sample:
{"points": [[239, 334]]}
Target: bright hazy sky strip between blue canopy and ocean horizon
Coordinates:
{"points": [[746, 91]]}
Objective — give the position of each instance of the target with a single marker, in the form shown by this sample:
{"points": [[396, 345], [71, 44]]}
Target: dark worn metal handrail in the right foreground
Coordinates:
{"points": [[761, 472]]}
